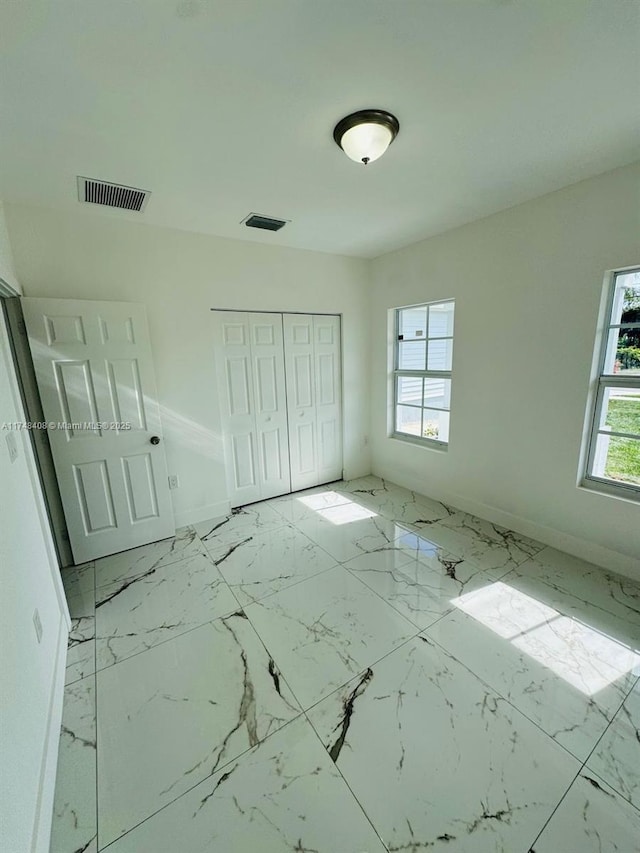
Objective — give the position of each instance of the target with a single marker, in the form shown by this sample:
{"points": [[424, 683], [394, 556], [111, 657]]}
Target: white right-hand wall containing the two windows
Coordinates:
{"points": [[527, 284]]}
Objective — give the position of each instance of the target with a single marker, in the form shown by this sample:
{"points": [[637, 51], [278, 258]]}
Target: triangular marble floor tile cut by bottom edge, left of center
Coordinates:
{"points": [[284, 795]]}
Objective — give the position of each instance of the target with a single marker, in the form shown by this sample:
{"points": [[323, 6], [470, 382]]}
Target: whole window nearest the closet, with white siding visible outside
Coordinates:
{"points": [[422, 371]]}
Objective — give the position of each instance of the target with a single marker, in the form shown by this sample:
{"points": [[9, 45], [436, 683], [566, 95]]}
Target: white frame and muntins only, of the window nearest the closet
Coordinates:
{"points": [[421, 440]]}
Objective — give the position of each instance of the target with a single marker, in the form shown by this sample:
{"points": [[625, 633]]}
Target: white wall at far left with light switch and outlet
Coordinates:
{"points": [[31, 673]]}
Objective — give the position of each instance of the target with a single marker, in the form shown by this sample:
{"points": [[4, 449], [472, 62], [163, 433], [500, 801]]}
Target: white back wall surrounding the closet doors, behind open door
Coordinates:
{"points": [[180, 276]]}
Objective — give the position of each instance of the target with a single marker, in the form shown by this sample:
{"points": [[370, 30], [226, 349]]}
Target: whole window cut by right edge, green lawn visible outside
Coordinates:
{"points": [[614, 452]]}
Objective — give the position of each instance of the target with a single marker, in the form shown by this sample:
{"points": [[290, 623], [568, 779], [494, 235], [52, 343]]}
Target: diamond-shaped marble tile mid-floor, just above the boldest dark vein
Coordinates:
{"points": [[325, 630]]}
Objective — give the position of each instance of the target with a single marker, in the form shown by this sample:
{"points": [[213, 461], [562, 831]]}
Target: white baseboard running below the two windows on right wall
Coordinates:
{"points": [[605, 558]]}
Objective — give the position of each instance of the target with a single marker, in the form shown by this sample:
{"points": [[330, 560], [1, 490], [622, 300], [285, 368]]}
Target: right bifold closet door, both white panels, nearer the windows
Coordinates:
{"points": [[313, 371]]}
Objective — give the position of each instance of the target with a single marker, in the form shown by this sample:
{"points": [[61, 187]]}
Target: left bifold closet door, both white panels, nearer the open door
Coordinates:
{"points": [[250, 365]]}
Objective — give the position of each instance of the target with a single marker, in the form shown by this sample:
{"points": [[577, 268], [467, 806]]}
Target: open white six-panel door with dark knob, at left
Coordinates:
{"points": [[95, 375]]}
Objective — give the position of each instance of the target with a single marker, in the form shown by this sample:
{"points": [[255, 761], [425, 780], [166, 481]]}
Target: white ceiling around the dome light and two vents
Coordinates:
{"points": [[224, 107]]}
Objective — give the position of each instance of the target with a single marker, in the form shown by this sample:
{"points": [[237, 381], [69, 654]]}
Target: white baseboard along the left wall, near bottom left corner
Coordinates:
{"points": [[40, 840]]}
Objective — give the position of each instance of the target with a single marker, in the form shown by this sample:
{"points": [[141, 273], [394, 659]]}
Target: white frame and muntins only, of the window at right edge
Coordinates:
{"points": [[602, 382]]}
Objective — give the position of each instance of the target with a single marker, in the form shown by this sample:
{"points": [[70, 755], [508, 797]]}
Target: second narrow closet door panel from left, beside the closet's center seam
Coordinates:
{"points": [[272, 442]]}
